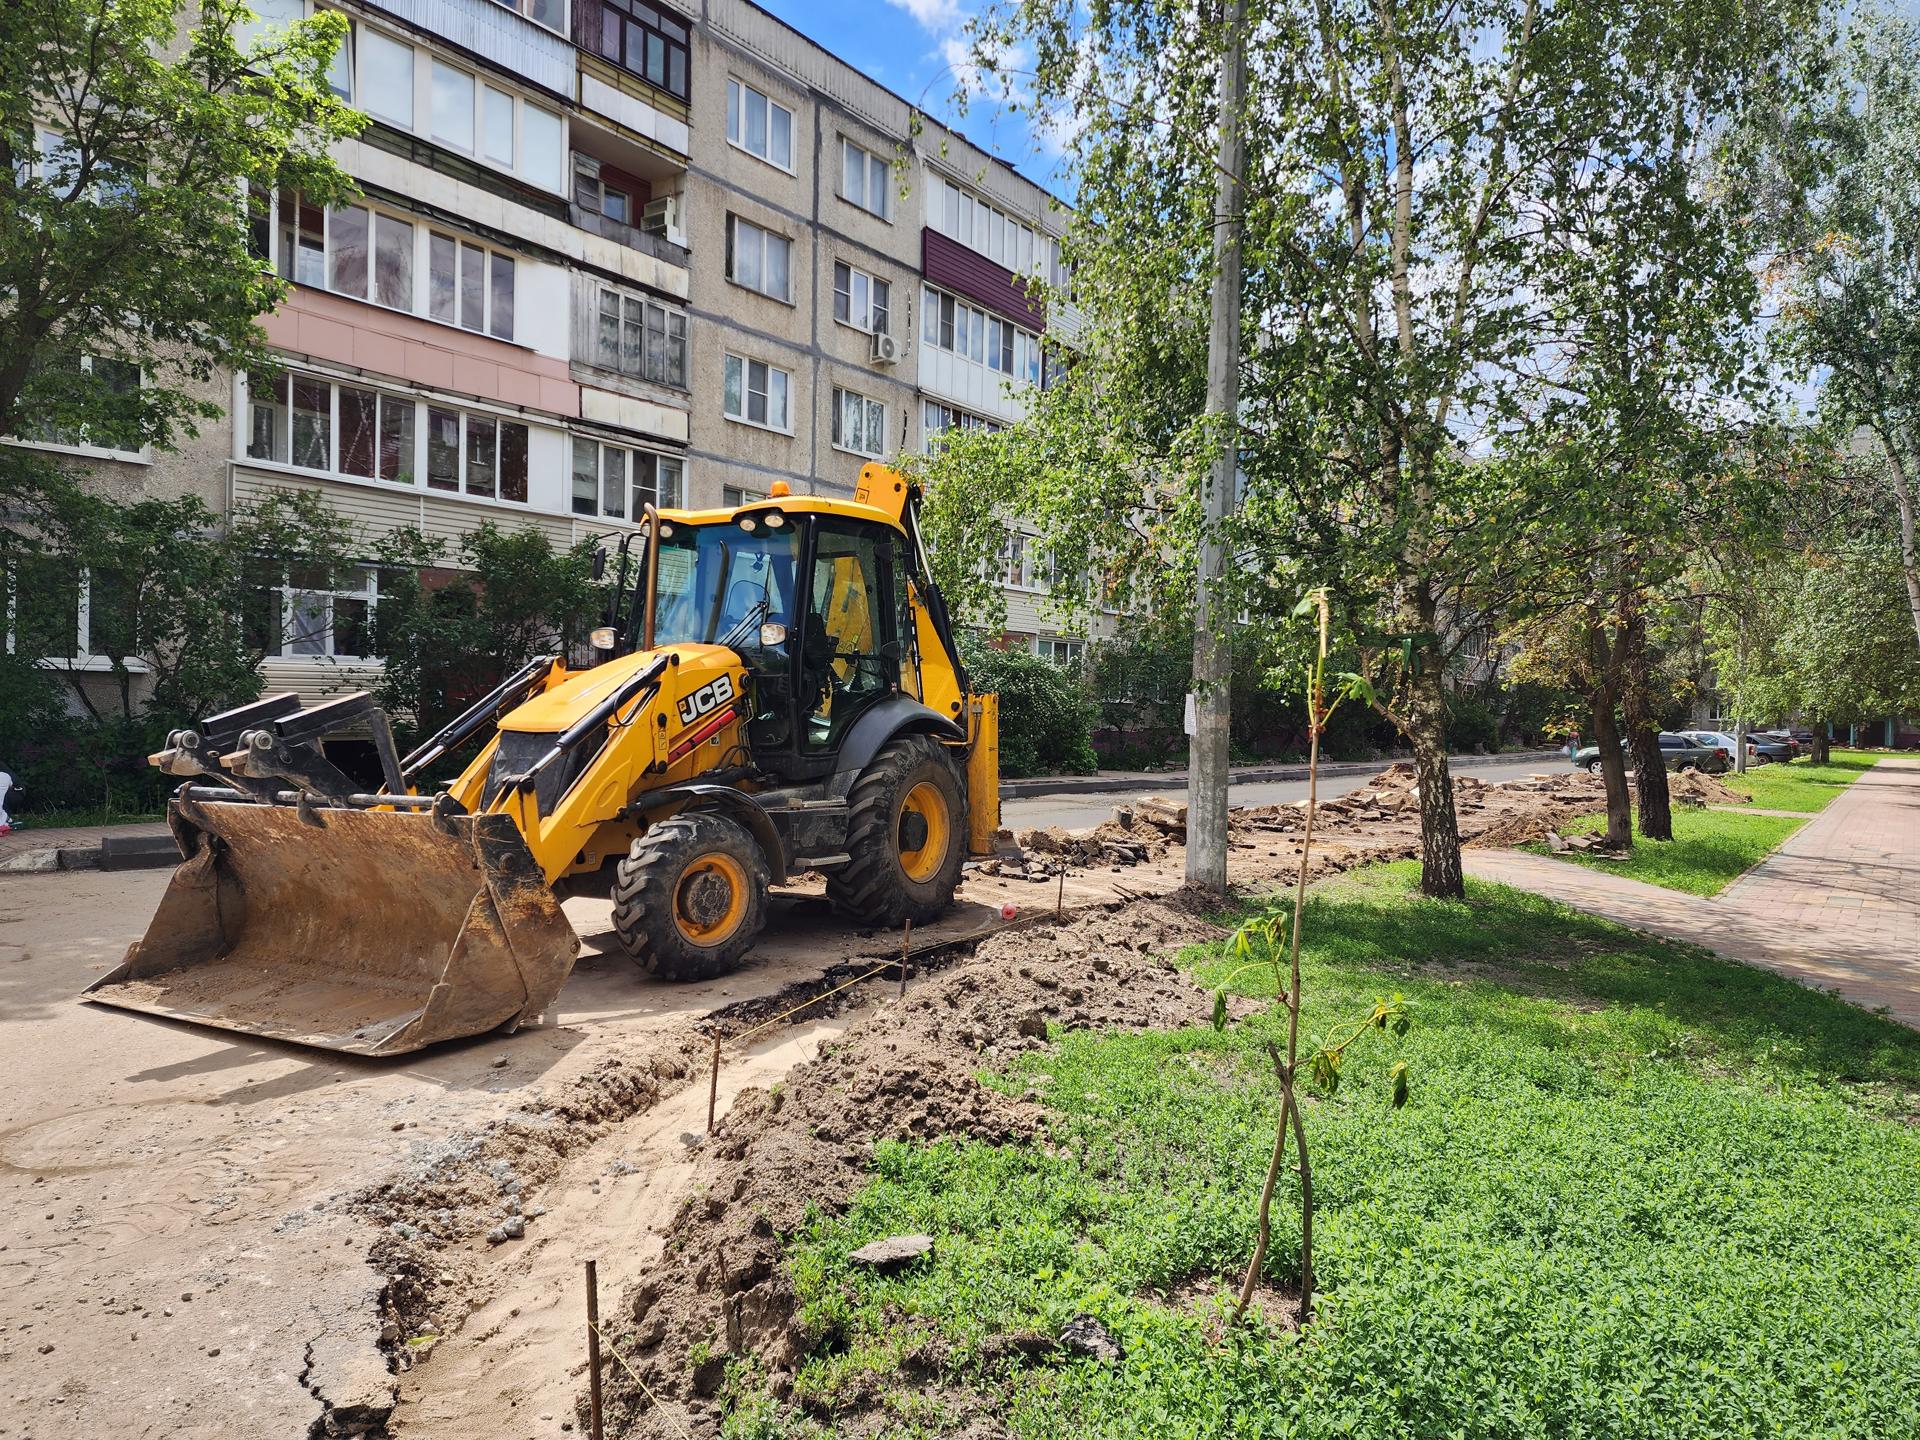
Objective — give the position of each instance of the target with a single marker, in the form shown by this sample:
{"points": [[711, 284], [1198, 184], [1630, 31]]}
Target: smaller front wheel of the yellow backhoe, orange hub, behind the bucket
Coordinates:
{"points": [[690, 898]]}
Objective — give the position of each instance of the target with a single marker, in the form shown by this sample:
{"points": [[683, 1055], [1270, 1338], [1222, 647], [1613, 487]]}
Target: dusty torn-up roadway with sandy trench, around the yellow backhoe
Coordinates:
{"points": [[214, 1236]]}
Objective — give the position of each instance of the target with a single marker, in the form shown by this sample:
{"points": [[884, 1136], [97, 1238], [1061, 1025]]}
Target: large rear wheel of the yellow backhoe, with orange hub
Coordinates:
{"points": [[907, 838]]}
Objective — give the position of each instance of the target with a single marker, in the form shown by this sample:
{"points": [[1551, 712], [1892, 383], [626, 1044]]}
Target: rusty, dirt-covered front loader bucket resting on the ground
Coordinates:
{"points": [[373, 932]]}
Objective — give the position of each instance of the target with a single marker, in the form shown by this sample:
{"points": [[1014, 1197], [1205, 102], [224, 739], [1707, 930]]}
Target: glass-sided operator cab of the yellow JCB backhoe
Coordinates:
{"points": [[813, 602]]}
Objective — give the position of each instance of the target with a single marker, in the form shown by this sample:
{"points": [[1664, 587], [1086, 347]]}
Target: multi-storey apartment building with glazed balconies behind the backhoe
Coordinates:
{"points": [[610, 254]]}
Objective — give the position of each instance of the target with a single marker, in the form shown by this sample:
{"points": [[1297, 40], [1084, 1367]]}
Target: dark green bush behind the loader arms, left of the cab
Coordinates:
{"points": [[452, 635]]}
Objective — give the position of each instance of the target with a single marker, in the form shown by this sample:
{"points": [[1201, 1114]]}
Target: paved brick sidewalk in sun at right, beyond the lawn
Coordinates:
{"points": [[1836, 907]]}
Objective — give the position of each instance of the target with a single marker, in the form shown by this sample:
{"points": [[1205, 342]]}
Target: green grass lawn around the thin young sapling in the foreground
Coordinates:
{"points": [[1639, 1193]]}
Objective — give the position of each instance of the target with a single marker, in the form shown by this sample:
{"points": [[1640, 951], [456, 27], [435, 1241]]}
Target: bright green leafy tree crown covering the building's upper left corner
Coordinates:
{"points": [[124, 237]]}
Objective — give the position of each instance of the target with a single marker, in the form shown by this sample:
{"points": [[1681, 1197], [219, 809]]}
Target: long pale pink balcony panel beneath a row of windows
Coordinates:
{"points": [[408, 348]]}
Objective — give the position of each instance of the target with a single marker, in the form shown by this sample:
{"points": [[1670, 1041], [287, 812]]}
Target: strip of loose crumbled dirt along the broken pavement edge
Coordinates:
{"points": [[483, 1184]]}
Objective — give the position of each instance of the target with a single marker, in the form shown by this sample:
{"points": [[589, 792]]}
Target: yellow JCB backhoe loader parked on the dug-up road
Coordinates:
{"points": [[780, 694]]}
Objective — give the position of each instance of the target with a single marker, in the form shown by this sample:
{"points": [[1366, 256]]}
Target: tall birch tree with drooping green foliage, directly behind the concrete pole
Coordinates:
{"points": [[1416, 178]]}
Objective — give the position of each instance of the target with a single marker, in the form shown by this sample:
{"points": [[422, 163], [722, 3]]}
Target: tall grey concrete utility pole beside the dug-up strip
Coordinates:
{"points": [[1207, 769]]}
